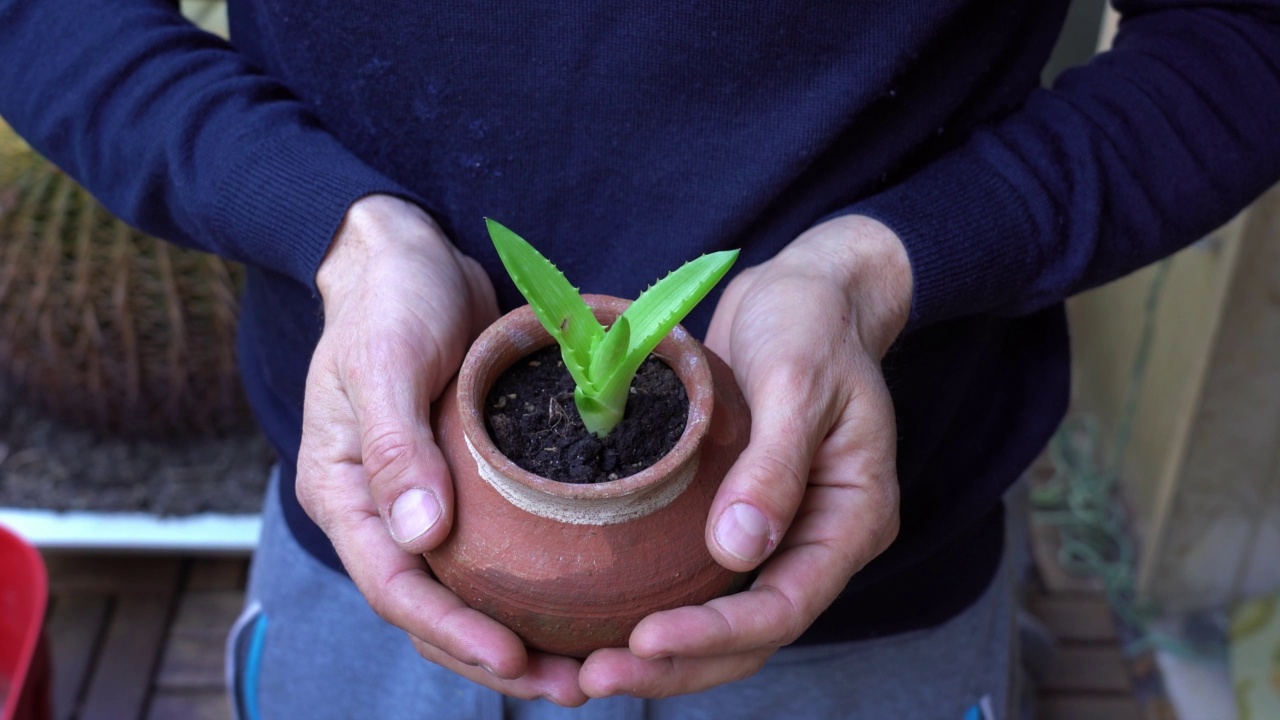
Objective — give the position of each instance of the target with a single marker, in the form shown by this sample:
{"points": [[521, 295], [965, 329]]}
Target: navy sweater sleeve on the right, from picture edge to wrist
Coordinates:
{"points": [[1127, 160]]}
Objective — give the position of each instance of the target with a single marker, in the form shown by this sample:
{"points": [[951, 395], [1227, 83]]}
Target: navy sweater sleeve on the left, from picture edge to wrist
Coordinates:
{"points": [[177, 133]]}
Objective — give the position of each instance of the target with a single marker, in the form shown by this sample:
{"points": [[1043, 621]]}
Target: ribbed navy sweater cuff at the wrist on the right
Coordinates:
{"points": [[970, 236]]}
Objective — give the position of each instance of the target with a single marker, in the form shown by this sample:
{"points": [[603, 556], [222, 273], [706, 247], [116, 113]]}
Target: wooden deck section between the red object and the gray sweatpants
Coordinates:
{"points": [[141, 637]]}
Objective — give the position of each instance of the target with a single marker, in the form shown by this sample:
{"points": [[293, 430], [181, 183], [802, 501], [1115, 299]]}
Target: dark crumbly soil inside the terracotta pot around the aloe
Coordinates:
{"points": [[533, 421]]}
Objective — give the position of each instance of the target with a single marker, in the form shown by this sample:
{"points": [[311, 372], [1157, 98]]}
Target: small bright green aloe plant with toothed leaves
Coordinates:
{"points": [[604, 363]]}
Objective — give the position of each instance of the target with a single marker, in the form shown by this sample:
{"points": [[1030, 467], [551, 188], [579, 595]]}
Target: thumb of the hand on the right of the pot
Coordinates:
{"points": [[764, 490]]}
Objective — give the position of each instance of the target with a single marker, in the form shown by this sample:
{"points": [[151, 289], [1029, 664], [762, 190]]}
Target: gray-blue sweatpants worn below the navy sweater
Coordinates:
{"points": [[309, 646]]}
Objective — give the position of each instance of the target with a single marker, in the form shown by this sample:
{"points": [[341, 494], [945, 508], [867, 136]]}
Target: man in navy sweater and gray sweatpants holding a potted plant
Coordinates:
{"points": [[912, 212]]}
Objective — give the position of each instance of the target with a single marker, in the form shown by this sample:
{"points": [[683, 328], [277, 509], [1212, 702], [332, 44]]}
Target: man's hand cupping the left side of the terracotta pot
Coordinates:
{"points": [[401, 308]]}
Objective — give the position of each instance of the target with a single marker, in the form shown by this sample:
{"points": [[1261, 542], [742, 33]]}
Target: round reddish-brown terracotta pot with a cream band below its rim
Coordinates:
{"points": [[573, 568]]}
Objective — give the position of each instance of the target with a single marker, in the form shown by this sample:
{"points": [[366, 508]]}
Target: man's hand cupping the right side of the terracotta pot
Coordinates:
{"points": [[816, 491]]}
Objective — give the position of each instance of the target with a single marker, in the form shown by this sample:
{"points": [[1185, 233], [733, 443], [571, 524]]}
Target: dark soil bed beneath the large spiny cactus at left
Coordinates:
{"points": [[45, 464]]}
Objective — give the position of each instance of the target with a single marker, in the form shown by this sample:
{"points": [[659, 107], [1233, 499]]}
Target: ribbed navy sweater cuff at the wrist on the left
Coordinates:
{"points": [[285, 202]]}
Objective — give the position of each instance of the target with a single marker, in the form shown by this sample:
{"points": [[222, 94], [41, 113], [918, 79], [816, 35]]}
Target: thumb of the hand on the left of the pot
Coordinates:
{"points": [[409, 479]]}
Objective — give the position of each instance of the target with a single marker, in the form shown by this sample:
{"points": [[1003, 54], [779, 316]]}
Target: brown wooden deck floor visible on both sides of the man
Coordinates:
{"points": [[141, 639]]}
